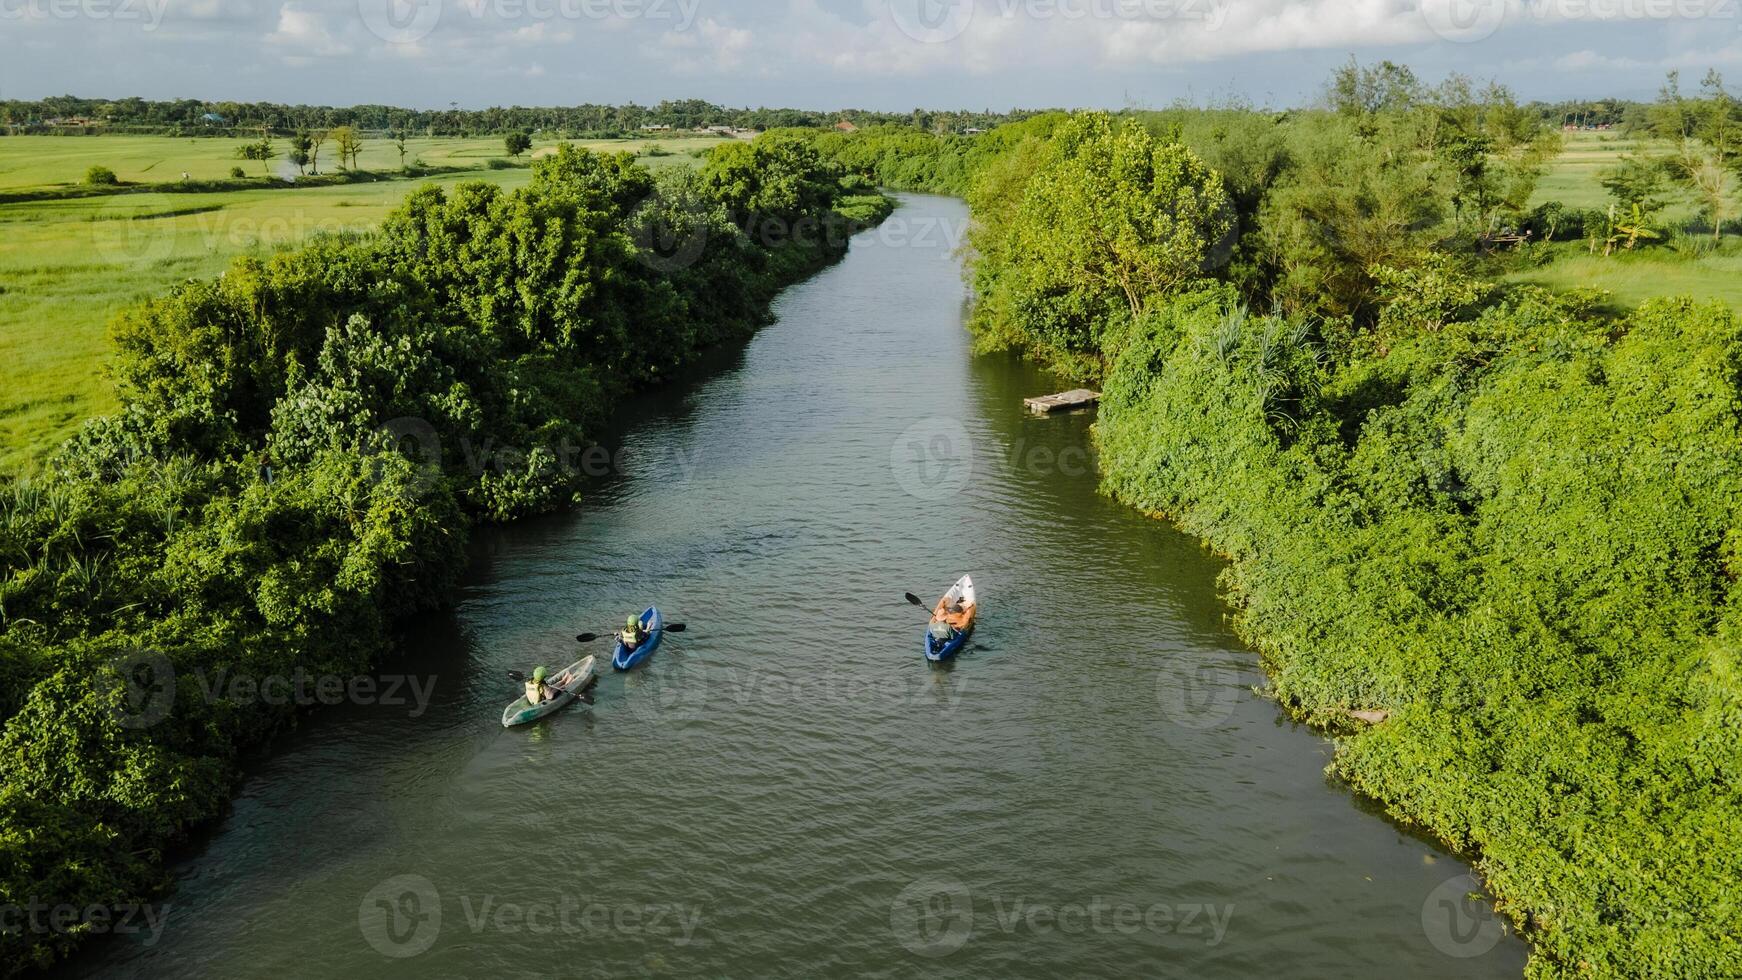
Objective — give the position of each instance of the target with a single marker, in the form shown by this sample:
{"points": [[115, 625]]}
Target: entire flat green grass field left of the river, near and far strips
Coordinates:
{"points": [[69, 265]]}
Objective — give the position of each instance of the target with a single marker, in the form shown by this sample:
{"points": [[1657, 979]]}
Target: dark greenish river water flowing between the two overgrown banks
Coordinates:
{"points": [[790, 789]]}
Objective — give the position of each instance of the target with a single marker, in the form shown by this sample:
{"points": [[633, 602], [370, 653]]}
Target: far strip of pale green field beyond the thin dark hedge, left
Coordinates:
{"points": [[62, 161]]}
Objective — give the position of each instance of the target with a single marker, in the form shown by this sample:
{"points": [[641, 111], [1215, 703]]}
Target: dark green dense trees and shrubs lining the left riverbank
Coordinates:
{"points": [[287, 476]]}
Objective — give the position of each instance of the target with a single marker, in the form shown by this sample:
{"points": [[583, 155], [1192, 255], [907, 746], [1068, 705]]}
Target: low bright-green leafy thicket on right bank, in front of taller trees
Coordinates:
{"points": [[1515, 532]]}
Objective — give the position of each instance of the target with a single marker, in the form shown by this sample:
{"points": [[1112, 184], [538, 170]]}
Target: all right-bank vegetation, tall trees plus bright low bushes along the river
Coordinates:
{"points": [[1504, 520]]}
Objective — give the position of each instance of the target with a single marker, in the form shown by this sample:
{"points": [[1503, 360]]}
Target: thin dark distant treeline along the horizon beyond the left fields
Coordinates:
{"points": [[194, 117]]}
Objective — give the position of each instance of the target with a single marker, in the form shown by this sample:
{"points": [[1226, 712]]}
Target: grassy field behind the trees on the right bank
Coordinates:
{"points": [[1687, 267]]}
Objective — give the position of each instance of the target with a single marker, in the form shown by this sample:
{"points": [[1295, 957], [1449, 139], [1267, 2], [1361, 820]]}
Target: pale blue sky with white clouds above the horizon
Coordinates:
{"points": [[825, 55]]}
